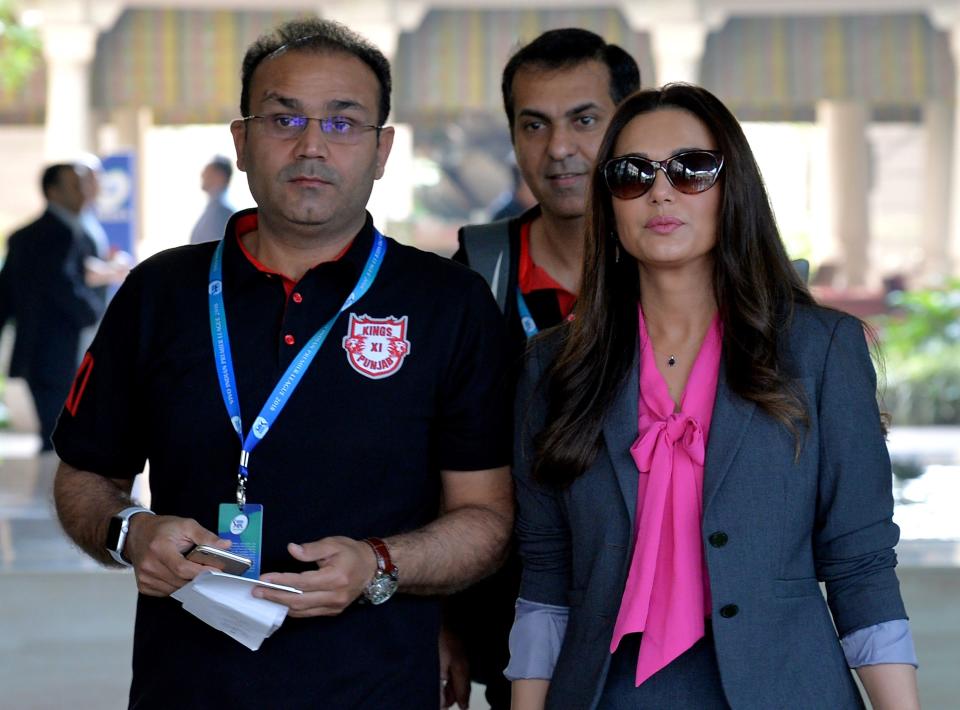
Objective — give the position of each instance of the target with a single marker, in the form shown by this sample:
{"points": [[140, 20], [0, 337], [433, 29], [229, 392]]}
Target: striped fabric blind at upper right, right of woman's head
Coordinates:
{"points": [[779, 67]]}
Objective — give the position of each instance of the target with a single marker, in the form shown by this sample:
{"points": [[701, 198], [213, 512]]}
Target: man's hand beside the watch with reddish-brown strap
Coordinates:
{"points": [[344, 569]]}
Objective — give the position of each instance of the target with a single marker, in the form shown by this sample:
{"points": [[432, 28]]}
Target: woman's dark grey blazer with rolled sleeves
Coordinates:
{"points": [[772, 528]]}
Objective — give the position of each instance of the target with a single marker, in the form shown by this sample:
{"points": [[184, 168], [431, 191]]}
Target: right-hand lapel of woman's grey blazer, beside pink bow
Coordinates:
{"points": [[731, 415]]}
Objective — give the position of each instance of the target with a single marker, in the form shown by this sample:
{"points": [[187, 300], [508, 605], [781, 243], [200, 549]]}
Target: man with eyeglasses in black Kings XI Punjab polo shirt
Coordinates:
{"points": [[400, 409]]}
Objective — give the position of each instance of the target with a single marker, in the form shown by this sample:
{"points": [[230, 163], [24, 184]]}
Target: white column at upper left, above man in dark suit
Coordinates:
{"points": [[68, 49]]}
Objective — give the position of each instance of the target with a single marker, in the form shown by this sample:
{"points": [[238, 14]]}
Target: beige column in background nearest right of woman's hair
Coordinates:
{"points": [[844, 173]]}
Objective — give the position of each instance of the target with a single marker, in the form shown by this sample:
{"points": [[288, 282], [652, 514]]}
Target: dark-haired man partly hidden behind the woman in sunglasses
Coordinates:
{"points": [[559, 92]]}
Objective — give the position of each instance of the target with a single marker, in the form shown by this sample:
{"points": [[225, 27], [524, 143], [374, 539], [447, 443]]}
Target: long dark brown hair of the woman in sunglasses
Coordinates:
{"points": [[754, 283]]}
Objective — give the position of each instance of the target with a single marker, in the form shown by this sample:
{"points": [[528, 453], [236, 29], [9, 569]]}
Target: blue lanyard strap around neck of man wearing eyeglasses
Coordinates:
{"points": [[291, 378]]}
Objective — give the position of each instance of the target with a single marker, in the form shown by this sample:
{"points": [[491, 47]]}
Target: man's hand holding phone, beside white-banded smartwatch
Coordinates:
{"points": [[155, 545]]}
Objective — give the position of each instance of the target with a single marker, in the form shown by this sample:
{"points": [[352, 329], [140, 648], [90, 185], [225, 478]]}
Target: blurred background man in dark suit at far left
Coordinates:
{"points": [[44, 290]]}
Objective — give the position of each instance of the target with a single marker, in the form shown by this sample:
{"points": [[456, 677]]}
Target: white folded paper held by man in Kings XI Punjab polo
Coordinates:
{"points": [[225, 602]]}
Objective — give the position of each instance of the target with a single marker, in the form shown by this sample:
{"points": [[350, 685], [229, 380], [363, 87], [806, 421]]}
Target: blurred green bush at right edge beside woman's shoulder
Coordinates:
{"points": [[921, 345]]}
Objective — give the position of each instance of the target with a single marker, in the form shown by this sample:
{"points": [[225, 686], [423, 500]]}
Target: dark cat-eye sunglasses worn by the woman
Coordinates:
{"points": [[630, 176]]}
